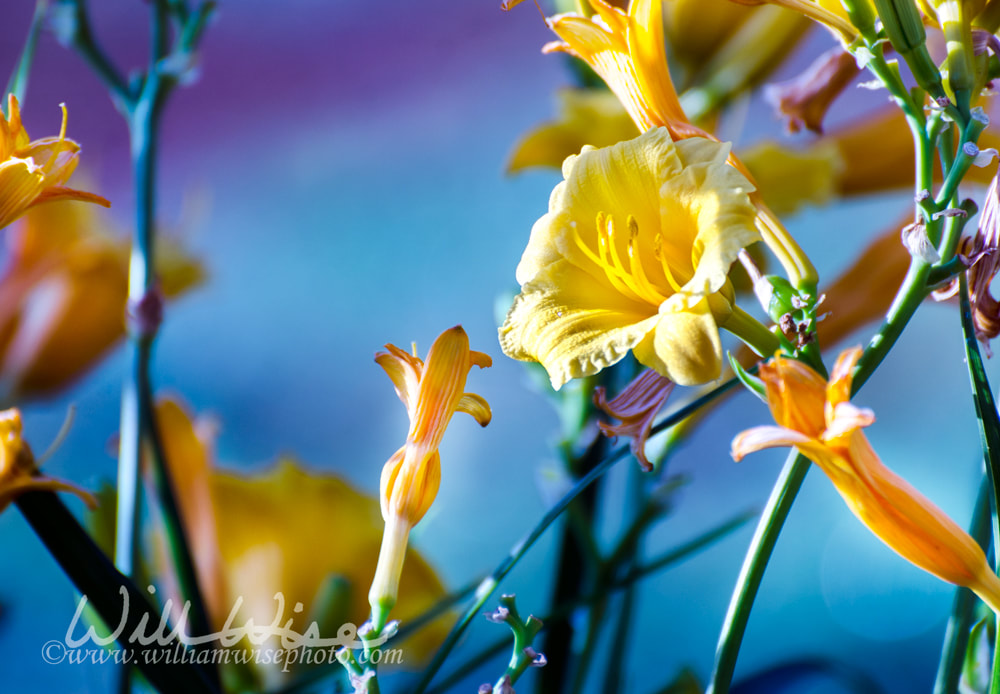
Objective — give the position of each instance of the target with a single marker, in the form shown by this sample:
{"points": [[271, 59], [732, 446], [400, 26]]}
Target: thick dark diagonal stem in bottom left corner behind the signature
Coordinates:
{"points": [[104, 588]]}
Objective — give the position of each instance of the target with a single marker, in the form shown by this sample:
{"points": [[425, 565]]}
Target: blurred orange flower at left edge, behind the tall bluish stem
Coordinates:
{"points": [[63, 294]]}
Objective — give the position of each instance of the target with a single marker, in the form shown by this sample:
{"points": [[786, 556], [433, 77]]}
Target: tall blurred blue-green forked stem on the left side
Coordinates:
{"points": [[141, 104]]}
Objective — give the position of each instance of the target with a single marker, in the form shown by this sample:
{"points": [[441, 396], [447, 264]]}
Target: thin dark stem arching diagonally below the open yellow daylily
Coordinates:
{"points": [[492, 582]]}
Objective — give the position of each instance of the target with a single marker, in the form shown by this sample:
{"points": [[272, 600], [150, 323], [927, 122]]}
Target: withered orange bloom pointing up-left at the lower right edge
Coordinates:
{"points": [[817, 418]]}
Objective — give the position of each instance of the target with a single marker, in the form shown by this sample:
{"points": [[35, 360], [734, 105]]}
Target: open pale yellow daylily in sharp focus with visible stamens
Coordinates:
{"points": [[633, 255]]}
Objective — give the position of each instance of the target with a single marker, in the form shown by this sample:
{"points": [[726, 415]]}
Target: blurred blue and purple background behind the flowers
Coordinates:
{"points": [[338, 168]]}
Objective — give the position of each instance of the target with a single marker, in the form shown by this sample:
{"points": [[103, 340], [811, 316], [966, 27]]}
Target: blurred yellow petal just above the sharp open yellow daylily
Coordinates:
{"points": [[585, 117]]}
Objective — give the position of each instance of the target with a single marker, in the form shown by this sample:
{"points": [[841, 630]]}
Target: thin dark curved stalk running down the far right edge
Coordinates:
{"points": [[989, 430]]}
